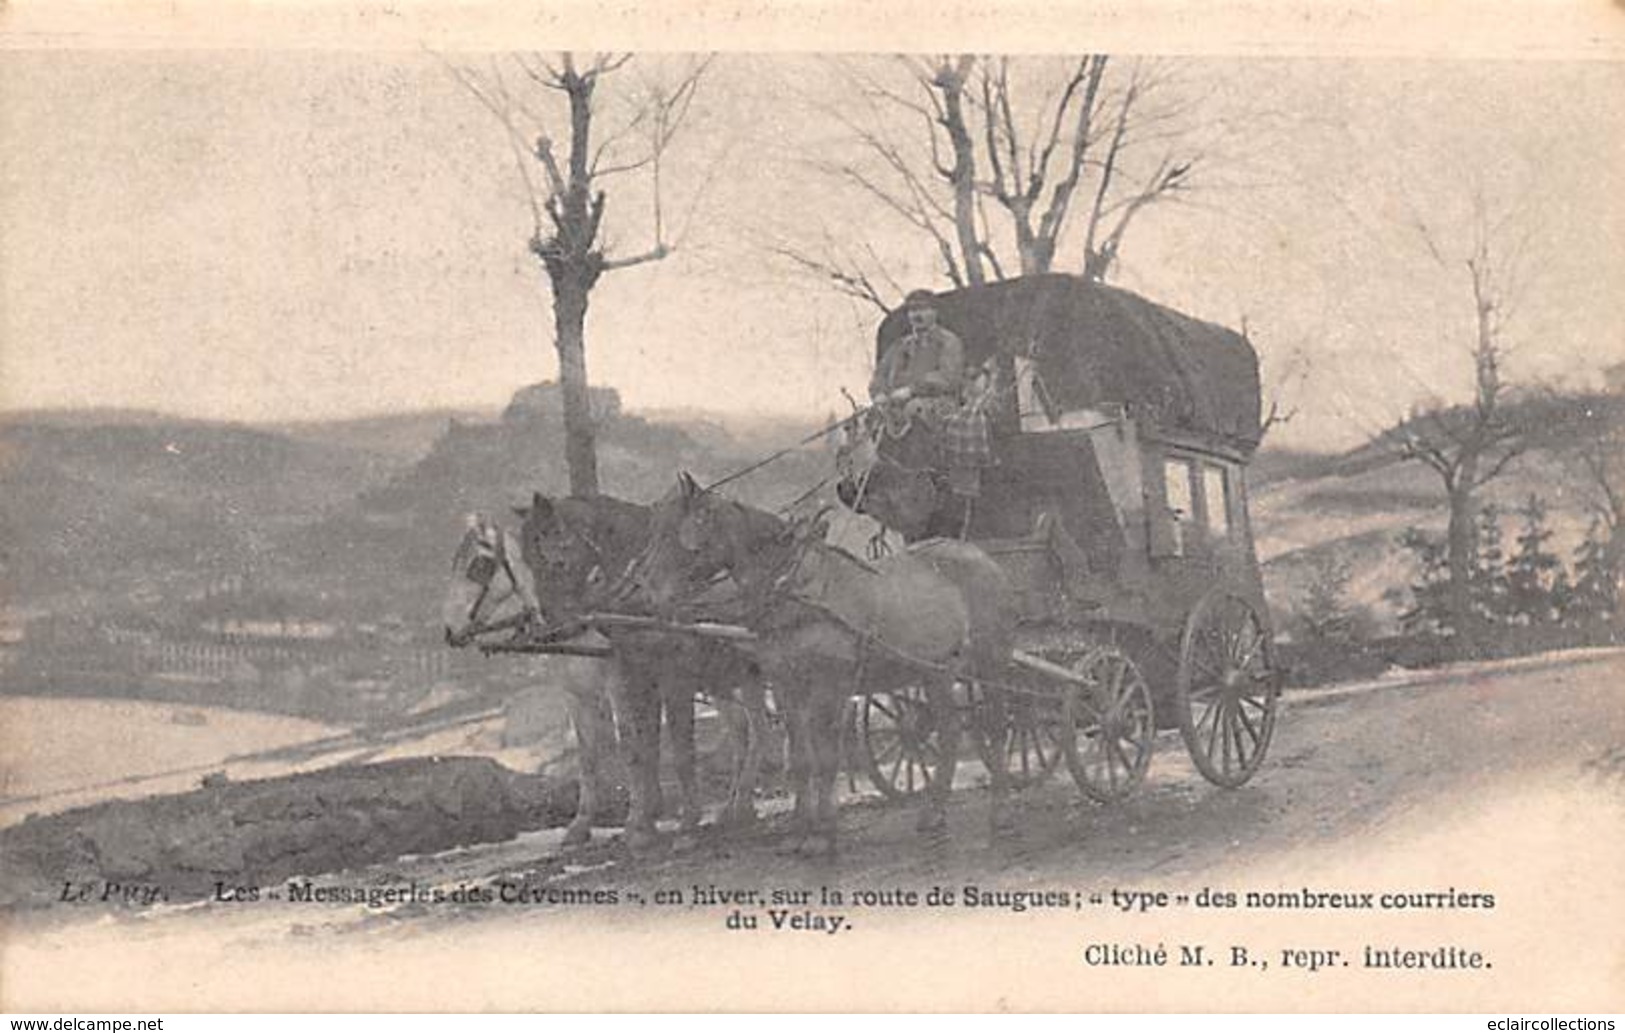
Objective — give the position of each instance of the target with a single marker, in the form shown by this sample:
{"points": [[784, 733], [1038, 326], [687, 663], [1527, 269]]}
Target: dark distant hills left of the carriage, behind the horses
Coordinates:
{"points": [[136, 512]]}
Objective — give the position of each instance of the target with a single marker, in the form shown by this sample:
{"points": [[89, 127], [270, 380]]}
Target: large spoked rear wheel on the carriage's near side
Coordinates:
{"points": [[1228, 689]]}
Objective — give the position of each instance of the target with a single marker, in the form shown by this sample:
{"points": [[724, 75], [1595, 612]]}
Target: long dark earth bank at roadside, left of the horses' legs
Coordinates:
{"points": [[266, 831]]}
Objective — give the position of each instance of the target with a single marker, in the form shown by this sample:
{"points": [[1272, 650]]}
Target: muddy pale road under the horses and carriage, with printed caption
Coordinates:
{"points": [[1502, 787]]}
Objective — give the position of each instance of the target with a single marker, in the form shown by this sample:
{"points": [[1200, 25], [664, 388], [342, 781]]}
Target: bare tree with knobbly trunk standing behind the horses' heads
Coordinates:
{"points": [[568, 199]]}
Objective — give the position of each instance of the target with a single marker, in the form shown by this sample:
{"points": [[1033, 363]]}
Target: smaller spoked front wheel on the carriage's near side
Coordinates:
{"points": [[1114, 730]]}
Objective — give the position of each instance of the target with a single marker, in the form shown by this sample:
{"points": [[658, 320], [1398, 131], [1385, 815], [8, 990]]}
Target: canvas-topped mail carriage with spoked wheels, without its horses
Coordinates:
{"points": [[1117, 506]]}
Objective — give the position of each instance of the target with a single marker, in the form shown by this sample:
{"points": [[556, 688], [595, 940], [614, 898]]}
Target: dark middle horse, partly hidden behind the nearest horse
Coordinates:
{"points": [[579, 551]]}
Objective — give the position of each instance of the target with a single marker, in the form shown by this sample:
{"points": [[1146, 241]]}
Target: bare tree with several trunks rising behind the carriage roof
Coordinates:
{"points": [[994, 160]]}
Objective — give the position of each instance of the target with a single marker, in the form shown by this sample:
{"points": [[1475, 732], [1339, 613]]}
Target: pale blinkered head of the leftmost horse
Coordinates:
{"points": [[490, 590]]}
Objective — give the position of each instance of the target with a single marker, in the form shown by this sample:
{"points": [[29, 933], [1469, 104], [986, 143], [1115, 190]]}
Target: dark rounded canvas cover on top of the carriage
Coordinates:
{"points": [[1098, 345]]}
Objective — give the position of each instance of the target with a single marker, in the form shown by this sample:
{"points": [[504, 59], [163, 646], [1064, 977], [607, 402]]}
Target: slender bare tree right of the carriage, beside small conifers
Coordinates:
{"points": [[1470, 446]]}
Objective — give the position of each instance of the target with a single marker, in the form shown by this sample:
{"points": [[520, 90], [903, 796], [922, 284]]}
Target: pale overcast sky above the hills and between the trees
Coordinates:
{"points": [[308, 235]]}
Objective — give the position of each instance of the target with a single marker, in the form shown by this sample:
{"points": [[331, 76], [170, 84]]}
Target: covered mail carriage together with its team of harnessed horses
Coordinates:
{"points": [[1094, 586]]}
